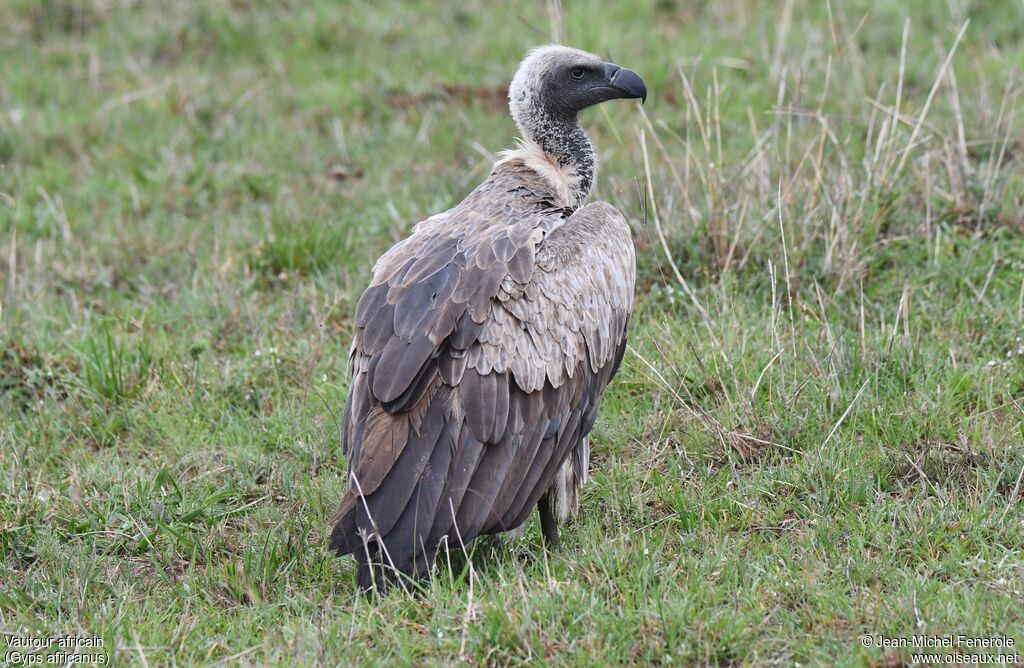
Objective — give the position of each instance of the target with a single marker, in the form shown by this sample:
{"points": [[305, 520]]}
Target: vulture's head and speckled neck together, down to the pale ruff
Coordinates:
{"points": [[552, 86]]}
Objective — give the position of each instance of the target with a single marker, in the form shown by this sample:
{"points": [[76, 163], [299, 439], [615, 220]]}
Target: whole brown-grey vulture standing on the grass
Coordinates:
{"points": [[486, 341]]}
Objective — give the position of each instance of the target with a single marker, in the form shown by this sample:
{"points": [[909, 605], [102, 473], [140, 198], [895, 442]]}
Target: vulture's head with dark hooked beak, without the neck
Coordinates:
{"points": [[554, 83]]}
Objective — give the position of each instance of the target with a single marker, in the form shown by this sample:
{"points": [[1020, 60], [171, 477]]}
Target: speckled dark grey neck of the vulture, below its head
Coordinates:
{"points": [[566, 141]]}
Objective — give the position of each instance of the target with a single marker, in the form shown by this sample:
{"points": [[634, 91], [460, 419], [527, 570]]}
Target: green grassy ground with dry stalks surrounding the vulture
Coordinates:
{"points": [[819, 431]]}
